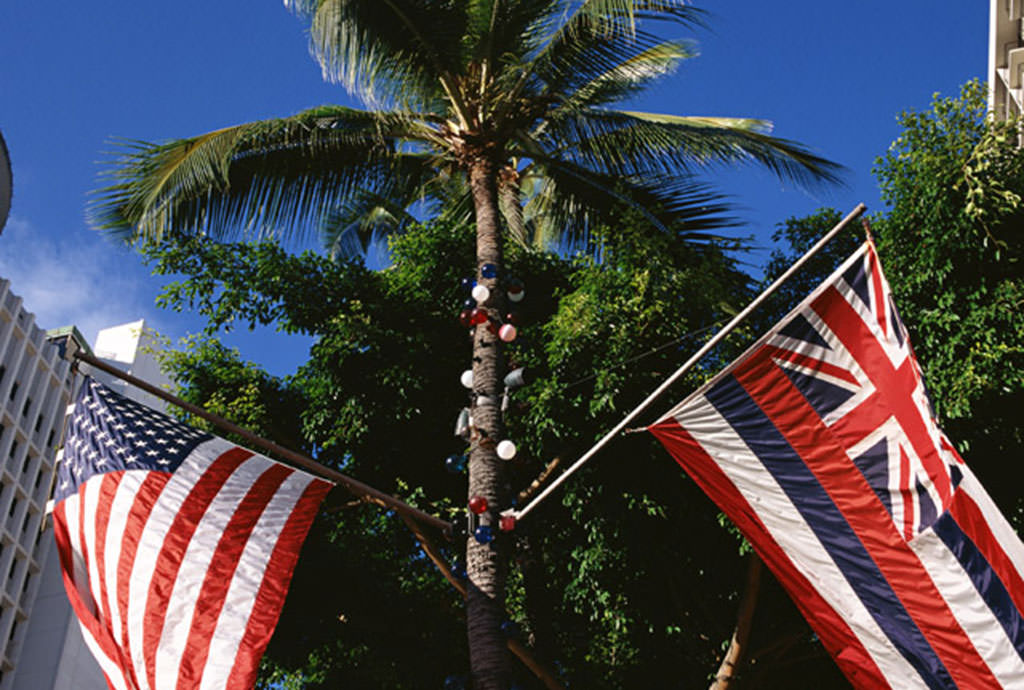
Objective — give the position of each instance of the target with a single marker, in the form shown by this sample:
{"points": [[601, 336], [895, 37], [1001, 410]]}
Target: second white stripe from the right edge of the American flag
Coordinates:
{"points": [[198, 556]]}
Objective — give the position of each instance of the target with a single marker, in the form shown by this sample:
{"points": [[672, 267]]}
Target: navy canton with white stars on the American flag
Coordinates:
{"points": [[108, 433]]}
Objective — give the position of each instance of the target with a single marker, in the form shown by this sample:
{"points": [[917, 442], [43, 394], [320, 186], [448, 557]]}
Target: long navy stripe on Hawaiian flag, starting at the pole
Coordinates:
{"points": [[829, 525]]}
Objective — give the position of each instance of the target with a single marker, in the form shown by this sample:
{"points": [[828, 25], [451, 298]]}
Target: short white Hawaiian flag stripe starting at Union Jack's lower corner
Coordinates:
{"points": [[970, 610]]}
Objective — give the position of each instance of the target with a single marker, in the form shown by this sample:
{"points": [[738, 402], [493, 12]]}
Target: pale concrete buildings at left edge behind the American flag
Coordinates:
{"points": [[41, 644]]}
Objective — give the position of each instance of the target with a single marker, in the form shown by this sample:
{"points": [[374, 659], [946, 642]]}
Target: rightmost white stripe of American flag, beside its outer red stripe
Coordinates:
{"points": [[247, 581]]}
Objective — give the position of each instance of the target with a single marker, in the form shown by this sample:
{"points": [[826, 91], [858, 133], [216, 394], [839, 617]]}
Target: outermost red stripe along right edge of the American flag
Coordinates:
{"points": [[279, 572]]}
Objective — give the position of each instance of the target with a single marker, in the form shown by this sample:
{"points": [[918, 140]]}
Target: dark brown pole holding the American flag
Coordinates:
{"points": [[357, 488]]}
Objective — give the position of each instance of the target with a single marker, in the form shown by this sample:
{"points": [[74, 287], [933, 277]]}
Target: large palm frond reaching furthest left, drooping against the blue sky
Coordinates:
{"points": [[268, 178]]}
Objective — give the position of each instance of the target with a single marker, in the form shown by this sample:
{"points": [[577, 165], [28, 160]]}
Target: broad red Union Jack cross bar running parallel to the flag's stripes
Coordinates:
{"points": [[894, 386]]}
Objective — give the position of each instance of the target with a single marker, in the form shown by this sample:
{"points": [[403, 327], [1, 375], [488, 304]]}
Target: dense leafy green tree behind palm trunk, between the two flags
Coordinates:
{"points": [[624, 579]]}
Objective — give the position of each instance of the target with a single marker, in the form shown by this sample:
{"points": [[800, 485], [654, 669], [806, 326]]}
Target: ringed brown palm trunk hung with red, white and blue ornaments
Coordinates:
{"points": [[487, 564]]}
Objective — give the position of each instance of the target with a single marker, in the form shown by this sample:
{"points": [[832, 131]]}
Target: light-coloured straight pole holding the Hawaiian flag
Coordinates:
{"points": [[689, 365]]}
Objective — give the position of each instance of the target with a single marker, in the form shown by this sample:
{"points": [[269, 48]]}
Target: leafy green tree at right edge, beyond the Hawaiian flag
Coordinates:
{"points": [[953, 245]]}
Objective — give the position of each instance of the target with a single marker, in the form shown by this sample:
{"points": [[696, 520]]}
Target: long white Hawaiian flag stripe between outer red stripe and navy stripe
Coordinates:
{"points": [[801, 546]]}
